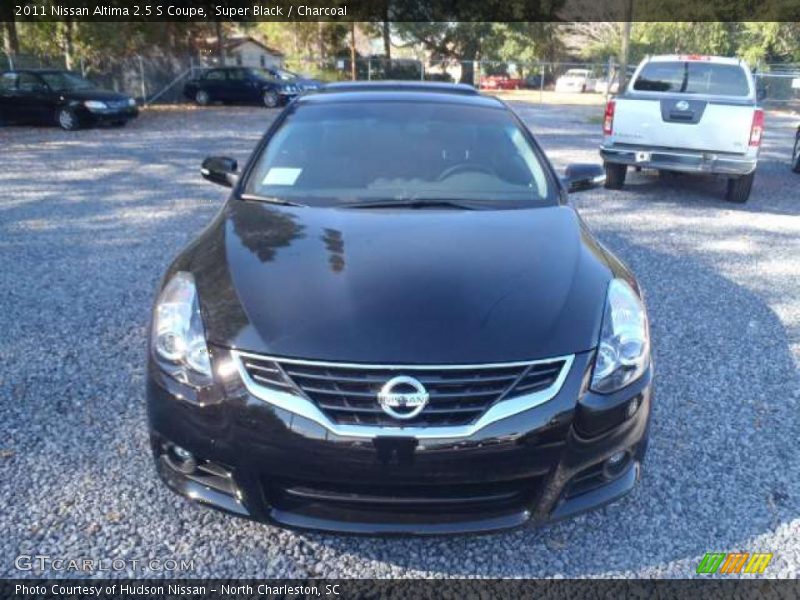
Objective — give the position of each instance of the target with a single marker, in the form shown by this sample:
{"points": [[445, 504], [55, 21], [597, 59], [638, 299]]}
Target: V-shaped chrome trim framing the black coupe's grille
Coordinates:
{"points": [[297, 403]]}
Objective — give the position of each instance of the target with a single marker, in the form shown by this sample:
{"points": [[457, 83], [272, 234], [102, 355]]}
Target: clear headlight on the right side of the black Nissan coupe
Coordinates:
{"points": [[624, 349]]}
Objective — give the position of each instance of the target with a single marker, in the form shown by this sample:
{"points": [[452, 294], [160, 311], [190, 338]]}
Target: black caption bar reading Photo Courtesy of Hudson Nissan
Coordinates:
{"points": [[133, 589]]}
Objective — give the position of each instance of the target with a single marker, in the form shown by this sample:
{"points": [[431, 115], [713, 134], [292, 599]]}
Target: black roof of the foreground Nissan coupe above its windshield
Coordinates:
{"points": [[404, 91]]}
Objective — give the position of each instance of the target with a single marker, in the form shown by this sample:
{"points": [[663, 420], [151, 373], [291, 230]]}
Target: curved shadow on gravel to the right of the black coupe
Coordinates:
{"points": [[719, 469]]}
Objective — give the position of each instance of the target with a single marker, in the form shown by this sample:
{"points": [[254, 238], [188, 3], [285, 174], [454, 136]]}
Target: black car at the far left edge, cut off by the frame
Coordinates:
{"points": [[64, 98]]}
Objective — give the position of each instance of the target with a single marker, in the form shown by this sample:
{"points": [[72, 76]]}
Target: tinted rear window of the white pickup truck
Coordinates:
{"points": [[693, 78]]}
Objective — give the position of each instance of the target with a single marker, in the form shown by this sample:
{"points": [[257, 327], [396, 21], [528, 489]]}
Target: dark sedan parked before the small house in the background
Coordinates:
{"points": [[239, 84]]}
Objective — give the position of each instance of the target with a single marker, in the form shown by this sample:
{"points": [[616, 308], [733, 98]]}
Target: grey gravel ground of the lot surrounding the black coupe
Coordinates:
{"points": [[89, 221]]}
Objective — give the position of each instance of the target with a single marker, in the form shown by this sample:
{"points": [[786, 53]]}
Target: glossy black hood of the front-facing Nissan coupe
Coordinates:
{"points": [[400, 286]]}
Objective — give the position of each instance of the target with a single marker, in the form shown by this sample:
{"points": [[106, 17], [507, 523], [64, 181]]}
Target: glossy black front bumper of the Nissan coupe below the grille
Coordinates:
{"points": [[263, 462]]}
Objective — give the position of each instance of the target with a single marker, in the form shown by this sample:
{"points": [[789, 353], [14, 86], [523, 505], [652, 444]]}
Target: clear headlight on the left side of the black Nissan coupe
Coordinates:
{"points": [[179, 341]]}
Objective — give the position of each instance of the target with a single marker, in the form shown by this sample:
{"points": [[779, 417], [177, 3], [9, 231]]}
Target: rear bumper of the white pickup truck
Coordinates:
{"points": [[686, 161]]}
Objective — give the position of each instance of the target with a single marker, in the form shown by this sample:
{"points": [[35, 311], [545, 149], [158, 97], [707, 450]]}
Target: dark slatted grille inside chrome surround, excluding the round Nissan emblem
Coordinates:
{"points": [[347, 394]]}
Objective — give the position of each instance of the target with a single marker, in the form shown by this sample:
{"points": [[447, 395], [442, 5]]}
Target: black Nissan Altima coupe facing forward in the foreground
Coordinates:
{"points": [[398, 324]]}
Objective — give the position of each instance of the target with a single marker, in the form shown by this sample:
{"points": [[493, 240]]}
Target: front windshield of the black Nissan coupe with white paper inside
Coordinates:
{"points": [[349, 153]]}
